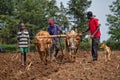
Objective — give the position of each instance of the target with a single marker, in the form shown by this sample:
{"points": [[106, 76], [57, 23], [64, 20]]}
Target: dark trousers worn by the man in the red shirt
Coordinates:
{"points": [[95, 42]]}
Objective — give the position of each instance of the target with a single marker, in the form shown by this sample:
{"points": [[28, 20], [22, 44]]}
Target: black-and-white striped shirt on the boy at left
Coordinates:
{"points": [[23, 38]]}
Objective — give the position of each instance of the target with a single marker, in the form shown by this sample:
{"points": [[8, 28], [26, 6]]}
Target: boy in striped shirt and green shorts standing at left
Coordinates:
{"points": [[23, 42]]}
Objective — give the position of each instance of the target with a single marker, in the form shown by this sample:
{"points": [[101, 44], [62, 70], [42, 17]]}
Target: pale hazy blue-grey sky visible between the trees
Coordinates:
{"points": [[100, 9]]}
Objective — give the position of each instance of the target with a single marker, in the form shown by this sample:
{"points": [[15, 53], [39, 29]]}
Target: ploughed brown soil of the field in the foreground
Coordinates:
{"points": [[82, 69]]}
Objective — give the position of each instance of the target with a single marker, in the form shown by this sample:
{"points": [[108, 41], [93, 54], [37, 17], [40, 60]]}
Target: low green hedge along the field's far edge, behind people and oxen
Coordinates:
{"points": [[84, 45]]}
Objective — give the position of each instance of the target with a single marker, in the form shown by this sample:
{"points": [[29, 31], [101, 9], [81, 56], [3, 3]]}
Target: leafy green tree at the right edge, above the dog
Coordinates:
{"points": [[113, 20]]}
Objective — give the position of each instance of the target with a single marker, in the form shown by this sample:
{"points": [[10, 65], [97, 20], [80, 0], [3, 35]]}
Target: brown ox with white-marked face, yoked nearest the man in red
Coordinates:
{"points": [[72, 43]]}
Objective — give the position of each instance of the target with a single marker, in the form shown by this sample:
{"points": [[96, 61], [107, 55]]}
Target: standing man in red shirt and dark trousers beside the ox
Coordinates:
{"points": [[95, 33]]}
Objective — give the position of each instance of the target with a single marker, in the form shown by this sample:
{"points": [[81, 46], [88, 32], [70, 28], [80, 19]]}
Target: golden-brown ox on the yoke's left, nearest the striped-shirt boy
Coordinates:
{"points": [[43, 45]]}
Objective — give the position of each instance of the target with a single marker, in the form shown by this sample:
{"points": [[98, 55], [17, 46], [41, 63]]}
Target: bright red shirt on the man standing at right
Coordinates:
{"points": [[93, 24]]}
